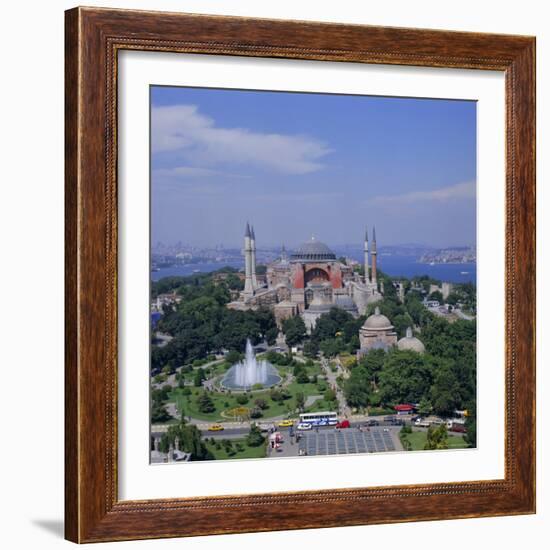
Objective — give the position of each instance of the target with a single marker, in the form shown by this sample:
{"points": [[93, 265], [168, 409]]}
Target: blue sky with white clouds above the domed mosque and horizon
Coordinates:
{"points": [[301, 164]]}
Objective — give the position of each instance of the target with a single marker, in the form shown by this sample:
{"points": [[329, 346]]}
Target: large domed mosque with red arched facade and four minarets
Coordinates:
{"points": [[309, 282]]}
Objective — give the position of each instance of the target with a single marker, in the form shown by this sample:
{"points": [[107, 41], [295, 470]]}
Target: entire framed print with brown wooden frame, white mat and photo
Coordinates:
{"points": [[300, 275]]}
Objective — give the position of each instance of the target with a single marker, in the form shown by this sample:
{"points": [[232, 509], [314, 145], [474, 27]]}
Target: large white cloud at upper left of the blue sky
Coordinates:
{"points": [[195, 137]]}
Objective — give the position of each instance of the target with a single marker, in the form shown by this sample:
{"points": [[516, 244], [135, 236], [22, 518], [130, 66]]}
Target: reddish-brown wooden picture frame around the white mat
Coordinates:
{"points": [[93, 510]]}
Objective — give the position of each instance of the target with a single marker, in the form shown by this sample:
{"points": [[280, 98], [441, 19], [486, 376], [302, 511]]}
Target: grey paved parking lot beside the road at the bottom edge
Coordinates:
{"points": [[348, 441]]}
